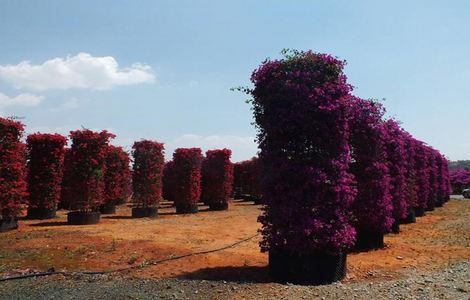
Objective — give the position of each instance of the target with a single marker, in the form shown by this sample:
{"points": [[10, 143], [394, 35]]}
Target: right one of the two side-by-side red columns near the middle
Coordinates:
{"points": [[217, 178]]}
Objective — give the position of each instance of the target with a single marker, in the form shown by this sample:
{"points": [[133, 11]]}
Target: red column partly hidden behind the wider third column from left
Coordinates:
{"points": [[117, 176]]}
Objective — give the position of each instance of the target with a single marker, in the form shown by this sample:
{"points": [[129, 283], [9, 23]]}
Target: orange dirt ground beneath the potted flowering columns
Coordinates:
{"points": [[118, 241]]}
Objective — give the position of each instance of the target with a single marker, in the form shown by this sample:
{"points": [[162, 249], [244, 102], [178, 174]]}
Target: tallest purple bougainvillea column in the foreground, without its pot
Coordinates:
{"points": [[300, 106]]}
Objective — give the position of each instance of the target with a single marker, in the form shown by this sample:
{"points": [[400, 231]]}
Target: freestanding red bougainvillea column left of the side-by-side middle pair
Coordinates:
{"points": [[147, 173]]}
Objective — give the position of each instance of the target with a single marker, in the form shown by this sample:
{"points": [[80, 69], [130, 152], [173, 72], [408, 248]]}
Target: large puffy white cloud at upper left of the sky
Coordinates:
{"points": [[79, 71]]}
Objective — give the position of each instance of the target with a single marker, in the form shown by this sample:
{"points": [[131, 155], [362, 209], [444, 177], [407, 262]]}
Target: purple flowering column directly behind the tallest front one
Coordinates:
{"points": [[373, 205]]}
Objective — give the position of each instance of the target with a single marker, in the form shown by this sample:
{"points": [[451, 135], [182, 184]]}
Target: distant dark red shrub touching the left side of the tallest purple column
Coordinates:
{"points": [[247, 176]]}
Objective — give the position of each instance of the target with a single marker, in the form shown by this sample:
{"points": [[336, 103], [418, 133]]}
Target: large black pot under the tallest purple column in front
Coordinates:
{"points": [[310, 269]]}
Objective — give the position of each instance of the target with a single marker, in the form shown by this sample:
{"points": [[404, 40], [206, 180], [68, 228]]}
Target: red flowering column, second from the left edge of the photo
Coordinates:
{"points": [[45, 168]]}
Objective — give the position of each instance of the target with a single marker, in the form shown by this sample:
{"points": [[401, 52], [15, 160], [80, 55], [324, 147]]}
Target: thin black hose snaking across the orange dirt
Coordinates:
{"points": [[150, 263]]}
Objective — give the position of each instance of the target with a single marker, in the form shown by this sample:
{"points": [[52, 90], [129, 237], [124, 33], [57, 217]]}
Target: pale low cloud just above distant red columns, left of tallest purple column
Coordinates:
{"points": [[243, 147]]}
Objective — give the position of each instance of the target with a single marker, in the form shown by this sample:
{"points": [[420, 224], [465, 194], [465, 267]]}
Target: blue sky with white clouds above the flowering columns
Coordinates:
{"points": [[177, 61]]}
